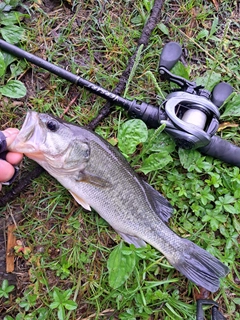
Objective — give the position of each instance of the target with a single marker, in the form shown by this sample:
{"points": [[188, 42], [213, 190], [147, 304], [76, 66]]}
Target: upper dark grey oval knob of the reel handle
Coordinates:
{"points": [[170, 55]]}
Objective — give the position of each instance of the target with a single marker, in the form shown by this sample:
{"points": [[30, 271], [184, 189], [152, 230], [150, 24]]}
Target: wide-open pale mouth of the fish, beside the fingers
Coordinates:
{"points": [[30, 135]]}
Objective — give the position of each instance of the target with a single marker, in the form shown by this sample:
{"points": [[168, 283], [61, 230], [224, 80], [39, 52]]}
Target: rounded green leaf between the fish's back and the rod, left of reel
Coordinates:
{"points": [[131, 134]]}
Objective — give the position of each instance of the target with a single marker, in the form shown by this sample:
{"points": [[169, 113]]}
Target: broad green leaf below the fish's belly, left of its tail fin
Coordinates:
{"points": [[120, 266]]}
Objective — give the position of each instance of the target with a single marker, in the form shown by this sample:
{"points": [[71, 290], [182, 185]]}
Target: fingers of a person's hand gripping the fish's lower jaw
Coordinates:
{"points": [[12, 158]]}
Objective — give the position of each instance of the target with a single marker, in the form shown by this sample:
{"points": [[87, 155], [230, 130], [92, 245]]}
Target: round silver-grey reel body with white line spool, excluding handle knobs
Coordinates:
{"points": [[192, 120]]}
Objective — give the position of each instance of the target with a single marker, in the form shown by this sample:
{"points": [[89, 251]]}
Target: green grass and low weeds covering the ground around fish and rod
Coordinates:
{"points": [[69, 247]]}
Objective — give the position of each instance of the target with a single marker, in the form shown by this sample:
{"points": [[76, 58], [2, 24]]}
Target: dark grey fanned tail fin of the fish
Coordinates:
{"points": [[200, 266]]}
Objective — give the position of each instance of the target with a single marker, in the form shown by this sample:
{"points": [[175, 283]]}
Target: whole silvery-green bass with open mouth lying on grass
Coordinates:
{"points": [[99, 177]]}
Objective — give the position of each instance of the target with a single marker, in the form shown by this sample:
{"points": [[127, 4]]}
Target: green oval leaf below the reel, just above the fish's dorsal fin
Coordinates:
{"points": [[155, 162]]}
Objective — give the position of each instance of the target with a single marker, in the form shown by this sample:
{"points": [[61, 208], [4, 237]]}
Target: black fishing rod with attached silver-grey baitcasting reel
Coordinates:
{"points": [[191, 114]]}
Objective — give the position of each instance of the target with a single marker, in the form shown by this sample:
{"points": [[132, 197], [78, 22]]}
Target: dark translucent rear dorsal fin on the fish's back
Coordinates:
{"points": [[160, 205]]}
